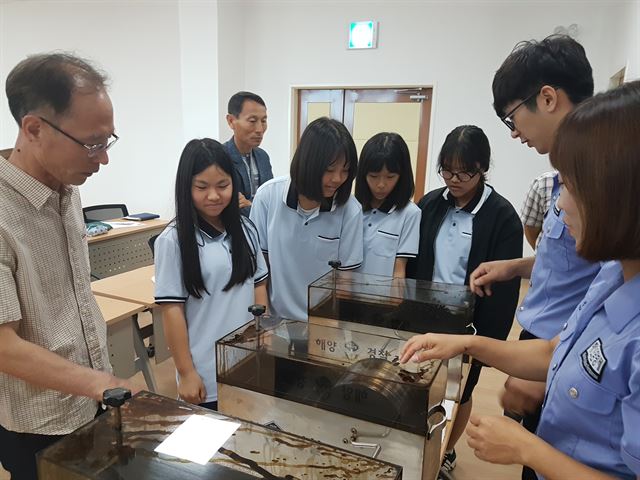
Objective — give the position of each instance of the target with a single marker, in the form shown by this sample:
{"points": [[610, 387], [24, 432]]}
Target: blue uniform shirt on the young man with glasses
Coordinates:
{"points": [[560, 277]]}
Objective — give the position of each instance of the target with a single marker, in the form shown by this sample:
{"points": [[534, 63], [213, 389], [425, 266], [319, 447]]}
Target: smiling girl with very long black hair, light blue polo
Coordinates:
{"points": [[208, 268]]}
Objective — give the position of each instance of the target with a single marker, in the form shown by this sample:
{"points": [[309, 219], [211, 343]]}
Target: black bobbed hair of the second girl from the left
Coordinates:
{"points": [[322, 143]]}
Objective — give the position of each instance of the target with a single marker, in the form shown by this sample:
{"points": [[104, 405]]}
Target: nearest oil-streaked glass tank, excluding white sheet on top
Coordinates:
{"points": [[99, 450]]}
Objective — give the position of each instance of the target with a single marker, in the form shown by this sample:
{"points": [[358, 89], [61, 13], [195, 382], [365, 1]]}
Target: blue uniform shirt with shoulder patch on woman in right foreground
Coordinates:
{"points": [[592, 404]]}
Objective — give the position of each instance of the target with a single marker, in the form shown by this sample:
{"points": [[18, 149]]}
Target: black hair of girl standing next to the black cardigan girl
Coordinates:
{"points": [[385, 150]]}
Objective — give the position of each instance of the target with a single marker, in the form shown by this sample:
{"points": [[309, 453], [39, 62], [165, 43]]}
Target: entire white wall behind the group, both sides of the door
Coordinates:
{"points": [[174, 64]]}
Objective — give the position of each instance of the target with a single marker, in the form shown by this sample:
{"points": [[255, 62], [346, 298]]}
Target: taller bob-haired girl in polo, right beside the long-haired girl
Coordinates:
{"points": [[309, 218]]}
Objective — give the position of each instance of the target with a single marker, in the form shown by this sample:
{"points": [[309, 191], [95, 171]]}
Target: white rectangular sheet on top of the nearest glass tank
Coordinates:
{"points": [[197, 439]]}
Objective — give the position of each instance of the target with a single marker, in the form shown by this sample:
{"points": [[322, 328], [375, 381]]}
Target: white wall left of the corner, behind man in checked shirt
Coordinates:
{"points": [[162, 60]]}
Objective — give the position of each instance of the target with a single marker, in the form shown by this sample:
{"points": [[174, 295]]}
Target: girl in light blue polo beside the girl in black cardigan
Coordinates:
{"points": [[384, 187]]}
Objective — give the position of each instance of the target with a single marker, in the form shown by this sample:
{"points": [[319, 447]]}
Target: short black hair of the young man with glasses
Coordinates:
{"points": [[558, 61]]}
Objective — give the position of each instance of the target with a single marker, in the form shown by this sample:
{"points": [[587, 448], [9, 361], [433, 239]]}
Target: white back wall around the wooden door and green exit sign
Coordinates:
{"points": [[456, 46]]}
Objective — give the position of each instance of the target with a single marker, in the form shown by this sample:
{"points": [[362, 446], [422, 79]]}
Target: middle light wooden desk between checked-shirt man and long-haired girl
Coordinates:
{"points": [[136, 287]]}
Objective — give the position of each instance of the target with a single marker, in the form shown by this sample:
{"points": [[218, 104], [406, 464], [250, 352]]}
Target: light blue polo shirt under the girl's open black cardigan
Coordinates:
{"points": [[453, 242]]}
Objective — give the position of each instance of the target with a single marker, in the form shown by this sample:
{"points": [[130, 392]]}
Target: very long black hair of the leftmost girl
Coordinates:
{"points": [[197, 156]]}
